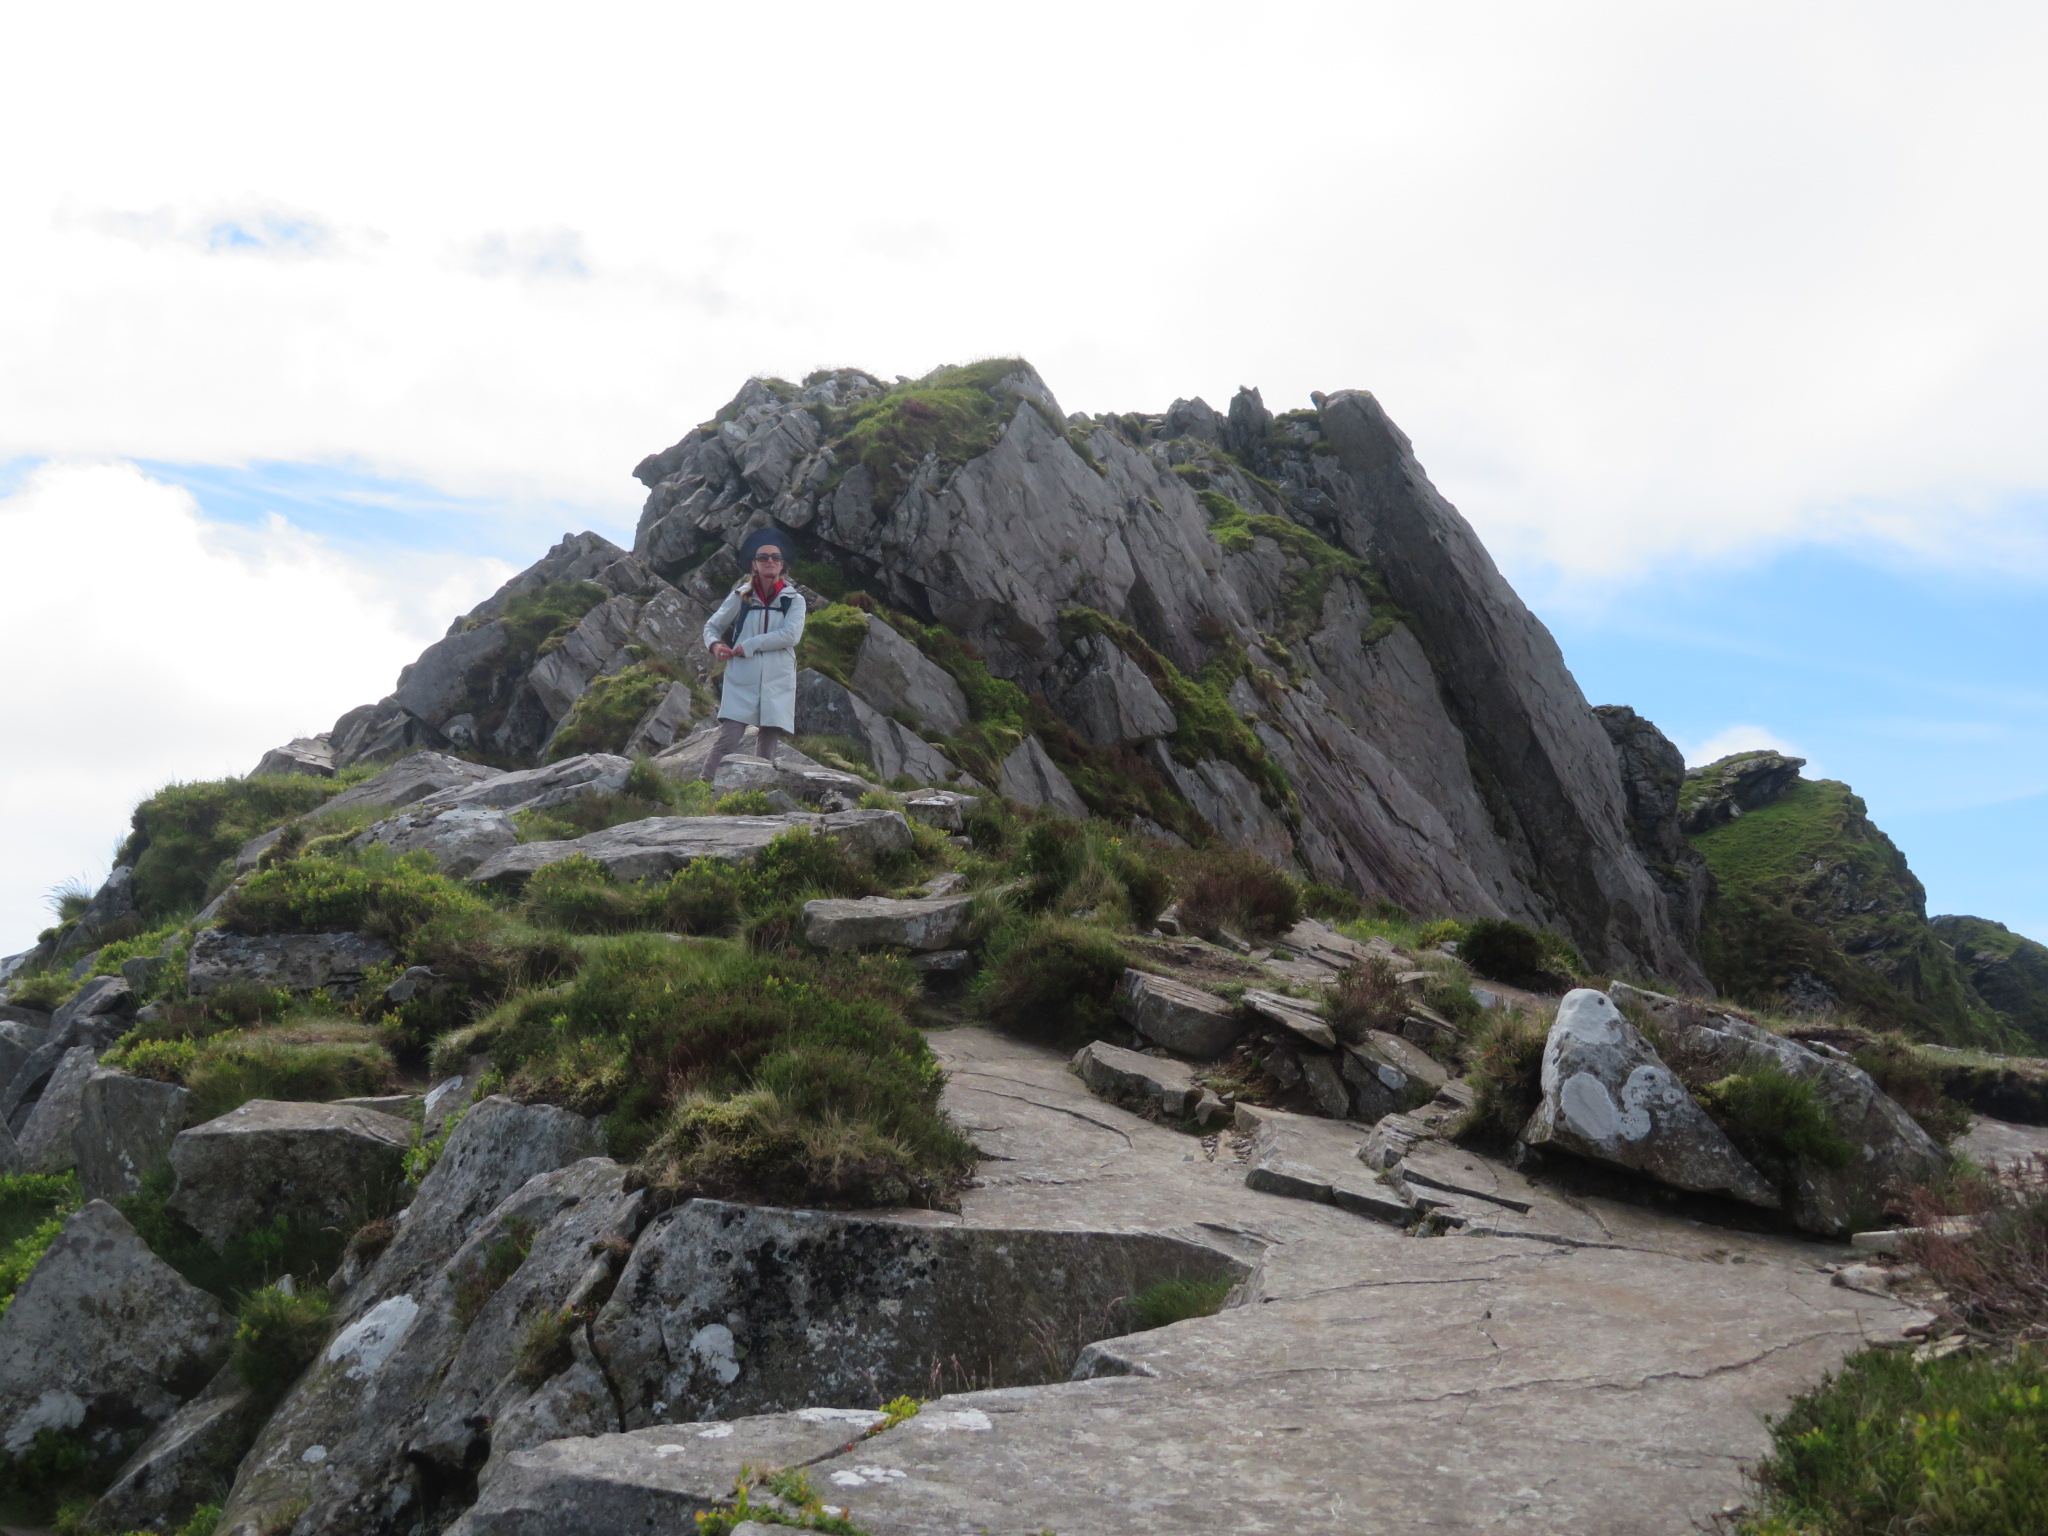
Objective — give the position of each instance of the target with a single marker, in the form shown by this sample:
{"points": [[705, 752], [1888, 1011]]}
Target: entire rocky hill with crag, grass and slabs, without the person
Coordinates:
{"points": [[1201, 1029]]}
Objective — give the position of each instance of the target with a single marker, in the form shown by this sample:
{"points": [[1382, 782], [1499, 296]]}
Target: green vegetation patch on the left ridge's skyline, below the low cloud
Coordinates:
{"points": [[187, 833]]}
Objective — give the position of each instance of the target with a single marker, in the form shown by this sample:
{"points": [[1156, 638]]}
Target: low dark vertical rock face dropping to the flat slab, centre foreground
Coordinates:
{"points": [[855, 1308]]}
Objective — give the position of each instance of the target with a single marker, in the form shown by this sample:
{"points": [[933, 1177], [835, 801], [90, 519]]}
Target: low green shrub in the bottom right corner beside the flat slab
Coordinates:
{"points": [[1887, 1445]]}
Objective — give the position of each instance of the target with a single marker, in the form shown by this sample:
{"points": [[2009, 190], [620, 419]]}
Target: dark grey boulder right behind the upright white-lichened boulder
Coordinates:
{"points": [[1891, 1150]]}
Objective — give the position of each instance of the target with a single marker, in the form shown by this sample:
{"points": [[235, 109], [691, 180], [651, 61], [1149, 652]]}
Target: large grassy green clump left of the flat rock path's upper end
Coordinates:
{"points": [[761, 1076]]}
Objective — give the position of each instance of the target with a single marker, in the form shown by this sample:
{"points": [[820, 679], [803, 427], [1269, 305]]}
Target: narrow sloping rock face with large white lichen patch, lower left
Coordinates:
{"points": [[396, 1334]]}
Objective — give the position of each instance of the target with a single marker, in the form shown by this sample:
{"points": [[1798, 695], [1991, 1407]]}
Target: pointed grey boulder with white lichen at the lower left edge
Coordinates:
{"points": [[103, 1340]]}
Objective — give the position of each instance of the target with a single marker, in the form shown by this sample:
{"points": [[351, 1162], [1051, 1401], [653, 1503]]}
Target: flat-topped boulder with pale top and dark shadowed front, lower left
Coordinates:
{"points": [[318, 1164]]}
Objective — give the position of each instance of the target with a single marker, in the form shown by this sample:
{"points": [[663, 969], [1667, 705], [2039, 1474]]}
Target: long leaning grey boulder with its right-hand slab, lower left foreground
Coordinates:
{"points": [[335, 1455]]}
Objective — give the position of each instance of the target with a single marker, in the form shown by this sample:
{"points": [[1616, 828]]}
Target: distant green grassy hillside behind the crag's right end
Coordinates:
{"points": [[1807, 884]]}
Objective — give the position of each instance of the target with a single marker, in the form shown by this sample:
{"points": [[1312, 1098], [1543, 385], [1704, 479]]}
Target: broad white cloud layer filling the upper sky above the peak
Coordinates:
{"points": [[1644, 284]]}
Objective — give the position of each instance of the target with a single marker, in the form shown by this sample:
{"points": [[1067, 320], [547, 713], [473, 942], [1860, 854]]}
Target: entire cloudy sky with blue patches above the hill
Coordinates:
{"points": [[1721, 325]]}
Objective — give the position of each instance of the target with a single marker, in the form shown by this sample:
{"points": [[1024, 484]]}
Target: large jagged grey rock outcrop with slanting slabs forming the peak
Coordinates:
{"points": [[1435, 746]]}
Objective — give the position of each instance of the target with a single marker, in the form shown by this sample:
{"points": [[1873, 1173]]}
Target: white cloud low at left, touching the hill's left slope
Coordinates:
{"points": [[148, 644]]}
